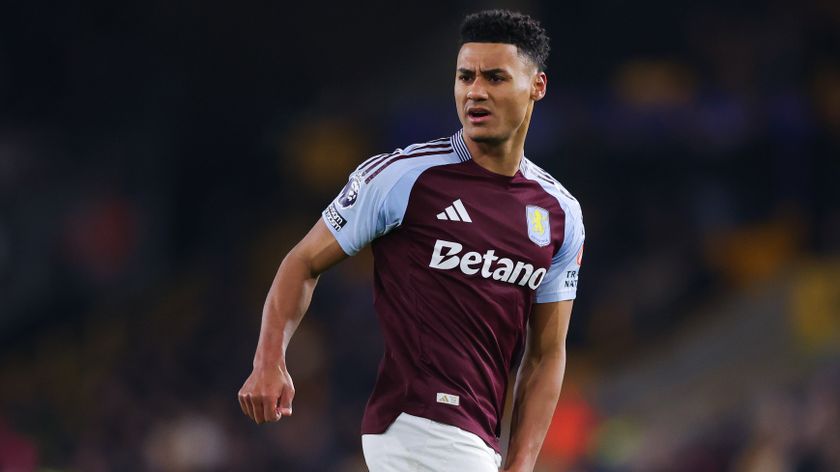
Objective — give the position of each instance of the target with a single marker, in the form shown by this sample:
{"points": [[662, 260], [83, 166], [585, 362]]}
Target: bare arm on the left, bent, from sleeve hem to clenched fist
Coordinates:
{"points": [[268, 392]]}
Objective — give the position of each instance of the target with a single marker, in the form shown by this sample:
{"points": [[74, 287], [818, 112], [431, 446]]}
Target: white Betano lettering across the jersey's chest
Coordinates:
{"points": [[488, 265]]}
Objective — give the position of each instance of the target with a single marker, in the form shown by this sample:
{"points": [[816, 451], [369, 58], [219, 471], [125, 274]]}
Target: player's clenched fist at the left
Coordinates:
{"points": [[267, 394]]}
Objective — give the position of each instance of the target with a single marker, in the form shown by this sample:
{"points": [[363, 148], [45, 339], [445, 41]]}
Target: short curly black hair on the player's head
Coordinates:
{"points": [[509, 27]]}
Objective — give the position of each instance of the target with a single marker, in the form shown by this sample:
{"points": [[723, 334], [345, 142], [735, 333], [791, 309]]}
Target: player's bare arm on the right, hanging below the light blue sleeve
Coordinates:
{"points": [[538, 383]]}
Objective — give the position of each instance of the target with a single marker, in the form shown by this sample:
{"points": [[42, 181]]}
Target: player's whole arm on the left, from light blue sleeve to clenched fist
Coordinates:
{"points": [[364, 210]]}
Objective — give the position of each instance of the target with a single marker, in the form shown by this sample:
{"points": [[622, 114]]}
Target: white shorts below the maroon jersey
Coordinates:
{"points": [[413, 443]]}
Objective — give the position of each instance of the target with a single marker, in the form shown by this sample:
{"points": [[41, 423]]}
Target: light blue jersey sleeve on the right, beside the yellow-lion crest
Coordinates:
{"points": [[560, 283]]}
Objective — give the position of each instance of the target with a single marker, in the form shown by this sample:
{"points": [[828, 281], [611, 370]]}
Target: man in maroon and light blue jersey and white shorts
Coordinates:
{"points": [[473, 246]]}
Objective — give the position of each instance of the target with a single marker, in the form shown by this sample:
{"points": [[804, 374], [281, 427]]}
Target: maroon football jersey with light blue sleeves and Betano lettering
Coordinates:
{"points": [[460, 256]]}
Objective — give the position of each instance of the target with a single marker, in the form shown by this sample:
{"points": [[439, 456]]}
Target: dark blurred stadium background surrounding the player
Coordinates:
{"points": [[159, 158]]}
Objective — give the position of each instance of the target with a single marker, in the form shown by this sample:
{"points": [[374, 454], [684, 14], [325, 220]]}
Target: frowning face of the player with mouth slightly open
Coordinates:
{"points": [[495, 89]]}
